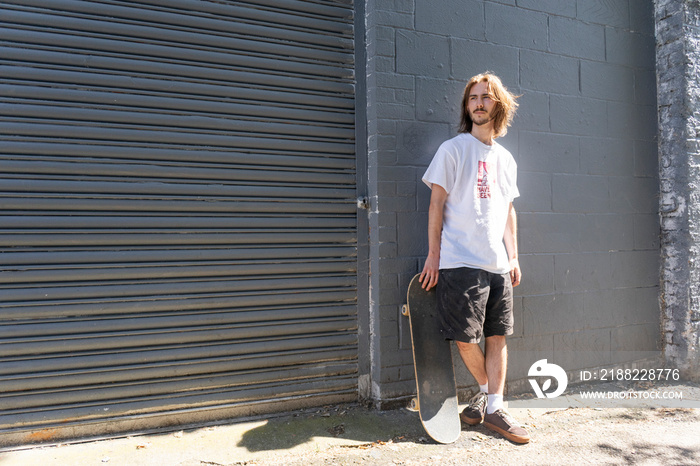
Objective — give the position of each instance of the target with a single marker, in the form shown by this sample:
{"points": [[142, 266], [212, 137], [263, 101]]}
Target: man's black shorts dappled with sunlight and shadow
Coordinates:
{"points": [[473, 303]]}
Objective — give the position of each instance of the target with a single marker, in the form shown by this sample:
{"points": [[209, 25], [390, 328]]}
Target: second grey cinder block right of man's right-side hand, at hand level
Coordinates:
{"points": [[577, 272]]}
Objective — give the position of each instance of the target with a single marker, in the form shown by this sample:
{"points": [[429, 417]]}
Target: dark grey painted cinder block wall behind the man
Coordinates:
{"points": [[584, 140]]}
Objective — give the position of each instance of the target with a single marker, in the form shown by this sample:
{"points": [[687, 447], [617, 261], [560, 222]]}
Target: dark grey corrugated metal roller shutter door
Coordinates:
{"points": [[178, 225]]}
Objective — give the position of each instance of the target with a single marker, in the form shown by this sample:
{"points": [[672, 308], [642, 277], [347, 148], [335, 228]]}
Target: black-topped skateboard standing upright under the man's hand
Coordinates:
{"points": [[436, 387]]}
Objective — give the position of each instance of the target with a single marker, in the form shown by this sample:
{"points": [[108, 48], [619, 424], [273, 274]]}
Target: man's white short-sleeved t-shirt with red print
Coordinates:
{"points": [[480, 181]]}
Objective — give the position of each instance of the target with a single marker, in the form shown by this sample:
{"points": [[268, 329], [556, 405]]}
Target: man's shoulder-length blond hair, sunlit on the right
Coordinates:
{"points": [[505, 108]]}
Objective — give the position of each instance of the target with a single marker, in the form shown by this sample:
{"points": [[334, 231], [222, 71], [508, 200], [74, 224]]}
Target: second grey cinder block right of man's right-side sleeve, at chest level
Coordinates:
{"points": [[580, 193]]}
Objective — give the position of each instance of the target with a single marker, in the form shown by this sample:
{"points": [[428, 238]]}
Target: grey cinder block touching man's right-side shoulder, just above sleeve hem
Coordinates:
{"points": [[548, 153]]}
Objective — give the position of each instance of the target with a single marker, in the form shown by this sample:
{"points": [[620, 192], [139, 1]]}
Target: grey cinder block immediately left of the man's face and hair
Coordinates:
{"points": [[439, 100]]}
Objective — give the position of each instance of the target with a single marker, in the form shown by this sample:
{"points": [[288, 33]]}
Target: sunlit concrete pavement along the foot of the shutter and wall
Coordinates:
{"points": [[578, 433]]}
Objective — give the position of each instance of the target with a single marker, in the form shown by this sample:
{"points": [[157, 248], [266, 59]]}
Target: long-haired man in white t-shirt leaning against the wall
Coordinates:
{"points": [[473, 251]]}
